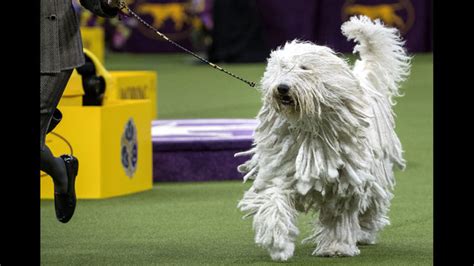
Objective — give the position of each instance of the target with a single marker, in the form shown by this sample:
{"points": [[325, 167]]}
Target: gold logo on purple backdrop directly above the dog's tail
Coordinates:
{"points": [[400, 14]]}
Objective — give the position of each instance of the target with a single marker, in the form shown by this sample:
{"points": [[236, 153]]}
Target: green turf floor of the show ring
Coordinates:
{"points": [[198, 223]]}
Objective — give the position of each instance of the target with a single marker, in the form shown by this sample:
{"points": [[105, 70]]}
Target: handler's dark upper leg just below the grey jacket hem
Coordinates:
{"points": [[51, 90]]}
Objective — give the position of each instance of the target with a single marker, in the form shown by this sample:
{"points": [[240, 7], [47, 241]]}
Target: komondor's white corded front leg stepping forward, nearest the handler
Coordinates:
{"points": [[274, 220]]}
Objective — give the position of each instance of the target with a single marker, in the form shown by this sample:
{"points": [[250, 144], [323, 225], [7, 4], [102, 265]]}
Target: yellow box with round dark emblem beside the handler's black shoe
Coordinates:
{"points": [[113, 145]]}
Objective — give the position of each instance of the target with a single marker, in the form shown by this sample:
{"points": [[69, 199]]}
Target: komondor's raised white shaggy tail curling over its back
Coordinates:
{"points": [[381, 51]]}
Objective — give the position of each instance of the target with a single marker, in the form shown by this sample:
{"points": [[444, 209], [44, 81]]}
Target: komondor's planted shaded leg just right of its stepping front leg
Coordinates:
{"points": [[335, 232]]}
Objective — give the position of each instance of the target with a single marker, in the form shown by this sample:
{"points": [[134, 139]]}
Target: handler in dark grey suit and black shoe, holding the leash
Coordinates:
{"points": [[61, 52]]}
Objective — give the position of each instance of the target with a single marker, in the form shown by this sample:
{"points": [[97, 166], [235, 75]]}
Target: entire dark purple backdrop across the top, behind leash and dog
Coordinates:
{"points": [[246, 30]]}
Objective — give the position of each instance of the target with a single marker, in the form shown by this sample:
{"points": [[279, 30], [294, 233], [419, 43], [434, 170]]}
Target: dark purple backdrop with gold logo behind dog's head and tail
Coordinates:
{"points": [[320, 21]]}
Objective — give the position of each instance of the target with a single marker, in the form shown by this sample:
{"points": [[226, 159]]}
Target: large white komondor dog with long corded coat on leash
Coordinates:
{"points": [[326, 142]]}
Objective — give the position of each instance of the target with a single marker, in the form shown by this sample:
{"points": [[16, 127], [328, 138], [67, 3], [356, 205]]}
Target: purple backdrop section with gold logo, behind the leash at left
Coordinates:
{"points": [[183, 21]]}
